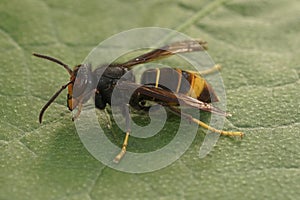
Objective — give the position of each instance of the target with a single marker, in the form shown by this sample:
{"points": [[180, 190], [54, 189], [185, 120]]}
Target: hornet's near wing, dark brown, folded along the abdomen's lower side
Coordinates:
{"points": [[169, 98]]}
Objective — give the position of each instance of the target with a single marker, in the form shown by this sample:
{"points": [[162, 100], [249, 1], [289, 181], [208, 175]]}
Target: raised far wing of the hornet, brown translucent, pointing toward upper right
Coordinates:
{"points": [[168, 50]]}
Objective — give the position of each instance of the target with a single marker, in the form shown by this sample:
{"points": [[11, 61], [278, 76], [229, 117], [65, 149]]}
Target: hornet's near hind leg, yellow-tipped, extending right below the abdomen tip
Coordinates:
{"points": [[202, 124]]}
